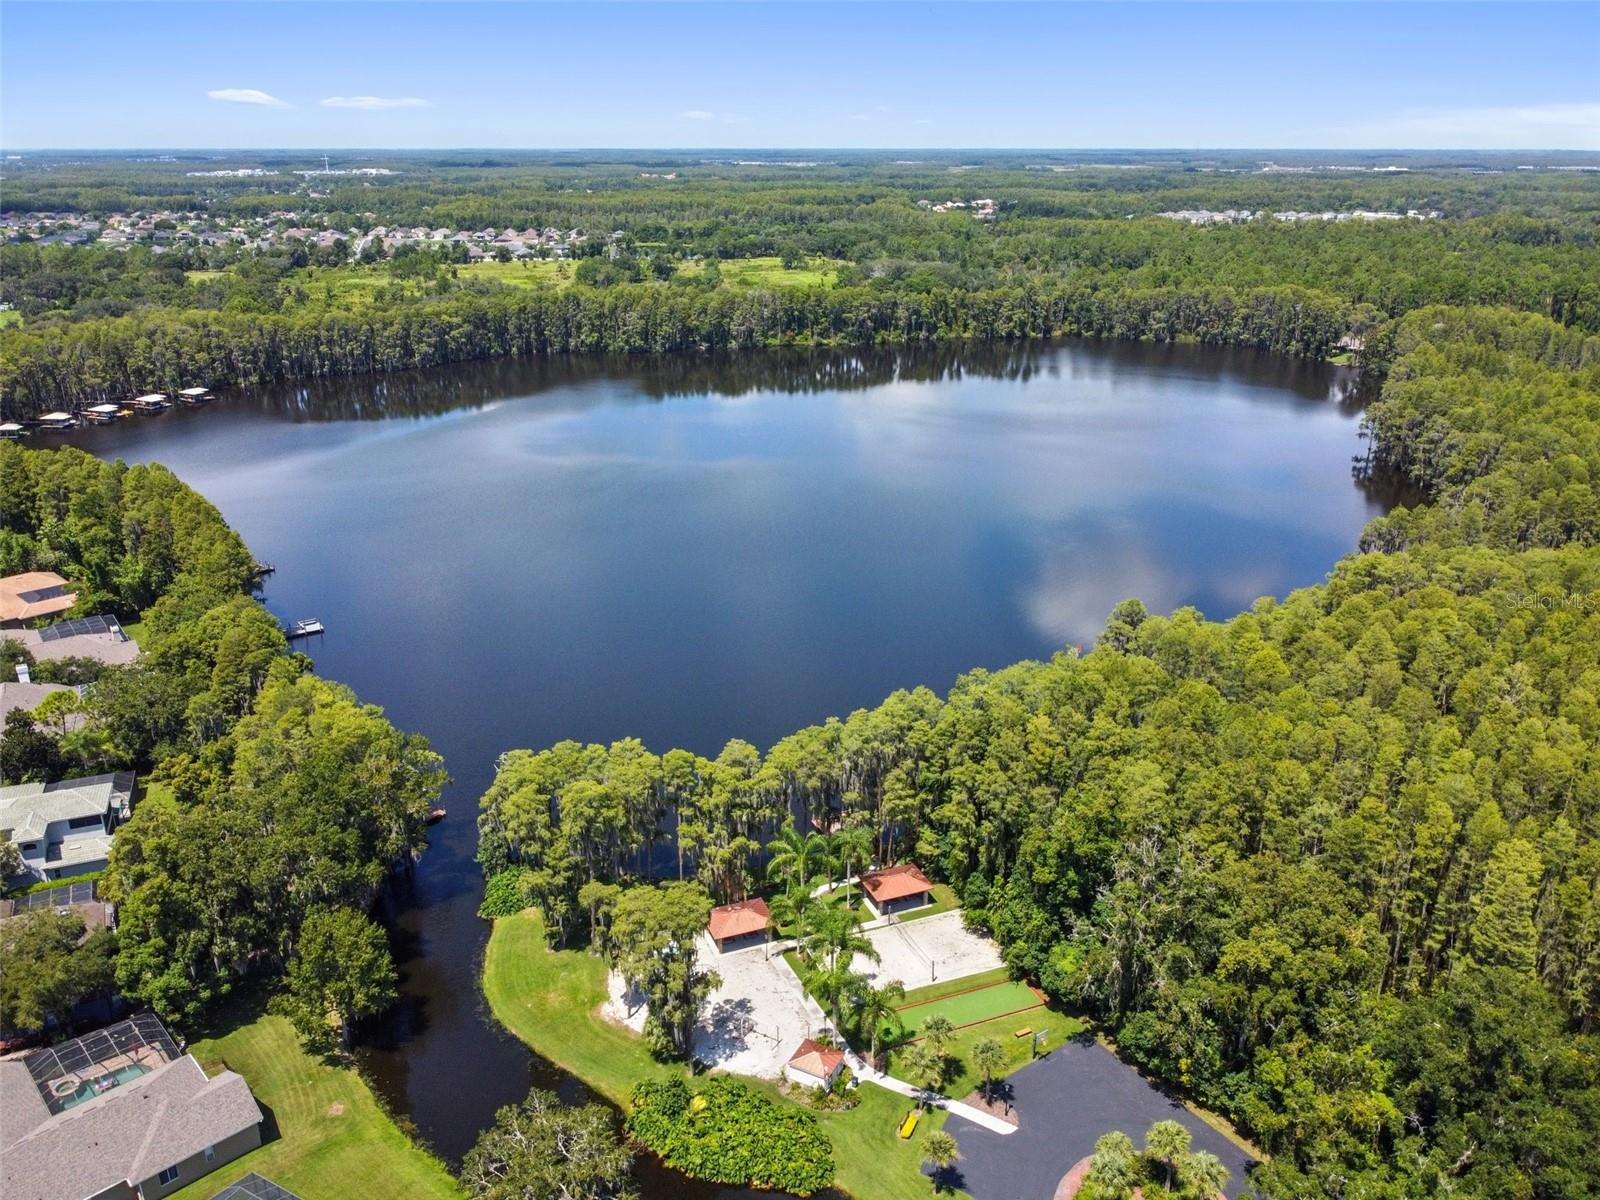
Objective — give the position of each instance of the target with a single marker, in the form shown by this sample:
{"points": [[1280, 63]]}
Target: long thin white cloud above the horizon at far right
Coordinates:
{"points": [[1527, 127]]}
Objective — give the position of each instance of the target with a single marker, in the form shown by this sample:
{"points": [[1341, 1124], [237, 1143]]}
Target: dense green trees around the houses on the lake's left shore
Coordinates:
{"points": [[274, 804]]}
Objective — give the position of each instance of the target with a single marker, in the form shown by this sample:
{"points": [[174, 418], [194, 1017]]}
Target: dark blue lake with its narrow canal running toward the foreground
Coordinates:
{"points": [[702, 550]]}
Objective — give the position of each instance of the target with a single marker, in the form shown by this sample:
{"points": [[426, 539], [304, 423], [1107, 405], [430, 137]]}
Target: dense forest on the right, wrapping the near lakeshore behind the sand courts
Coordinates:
{"points": [[1330, 866]]}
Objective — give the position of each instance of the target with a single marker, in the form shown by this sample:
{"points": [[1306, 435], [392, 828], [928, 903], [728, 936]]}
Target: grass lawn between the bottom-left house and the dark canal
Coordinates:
{"points": [[334, 1140]]}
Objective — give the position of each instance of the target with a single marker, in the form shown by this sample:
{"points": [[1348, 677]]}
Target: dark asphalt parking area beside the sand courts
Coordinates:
{"points": [[1066, 1102]]}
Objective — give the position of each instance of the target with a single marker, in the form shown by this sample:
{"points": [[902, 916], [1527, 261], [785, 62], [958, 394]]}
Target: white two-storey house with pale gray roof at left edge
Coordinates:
{"points": [[66, 828]]}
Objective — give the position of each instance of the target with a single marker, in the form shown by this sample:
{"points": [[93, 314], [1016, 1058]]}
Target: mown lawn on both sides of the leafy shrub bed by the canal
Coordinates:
{"points": [[550, 999]]}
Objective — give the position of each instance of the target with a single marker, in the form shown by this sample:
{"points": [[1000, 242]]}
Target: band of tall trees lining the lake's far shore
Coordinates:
{"points": [[110, 359]]}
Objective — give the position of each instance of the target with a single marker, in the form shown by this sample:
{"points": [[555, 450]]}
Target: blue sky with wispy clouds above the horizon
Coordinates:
{"points": [[1438, 76]]}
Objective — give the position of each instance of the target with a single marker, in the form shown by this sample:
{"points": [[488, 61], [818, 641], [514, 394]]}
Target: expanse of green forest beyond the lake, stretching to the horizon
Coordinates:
{"points": [[1071, 249]]}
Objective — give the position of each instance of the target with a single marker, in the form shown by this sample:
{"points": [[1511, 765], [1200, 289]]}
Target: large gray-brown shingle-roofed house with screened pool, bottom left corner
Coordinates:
{"points": [[142, 1140]]}
